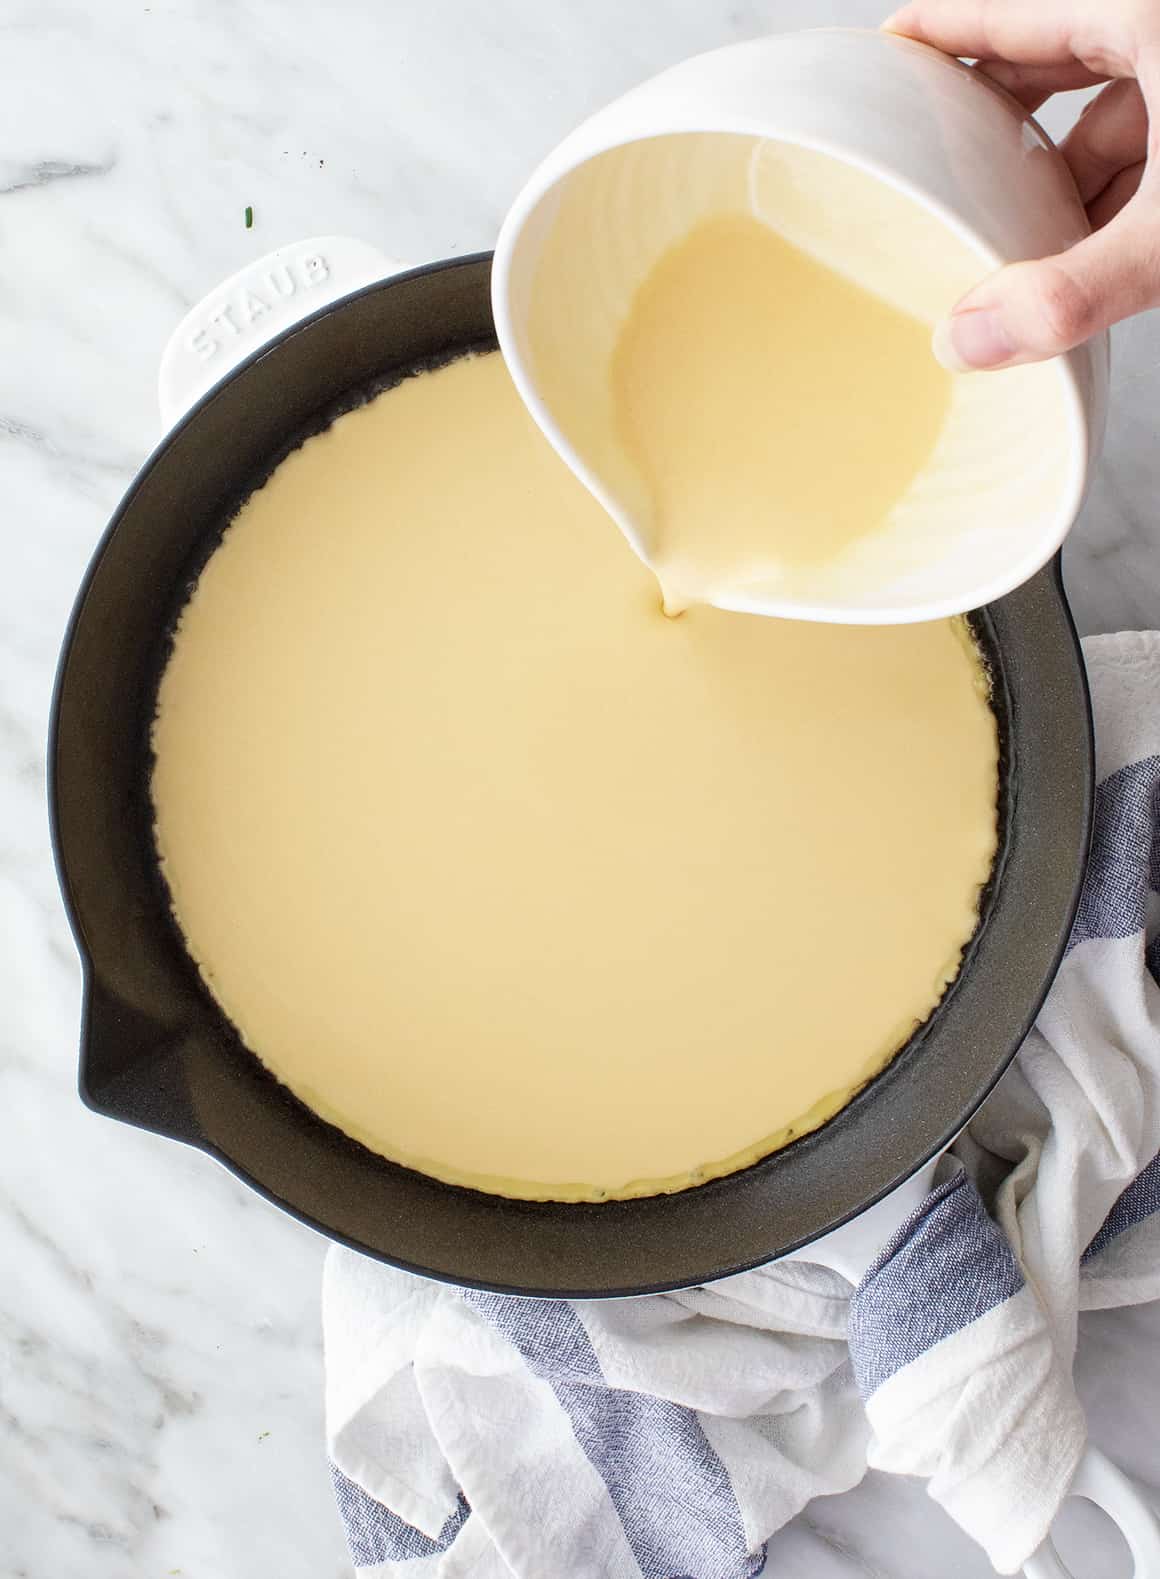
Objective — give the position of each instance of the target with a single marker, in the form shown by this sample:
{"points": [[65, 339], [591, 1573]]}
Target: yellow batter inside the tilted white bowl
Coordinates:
{"points": [[774, 408]]}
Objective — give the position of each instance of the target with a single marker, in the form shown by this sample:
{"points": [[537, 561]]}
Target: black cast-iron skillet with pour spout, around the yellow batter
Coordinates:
{"points": [[157, 1052]]}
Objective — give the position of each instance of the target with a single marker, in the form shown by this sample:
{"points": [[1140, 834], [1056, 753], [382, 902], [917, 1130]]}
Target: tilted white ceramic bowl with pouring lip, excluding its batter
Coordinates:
{"points": [[948, 157]]}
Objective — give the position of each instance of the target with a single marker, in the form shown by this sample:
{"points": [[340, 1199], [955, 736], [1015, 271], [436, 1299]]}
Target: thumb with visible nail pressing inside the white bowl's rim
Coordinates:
{"points": [[1036, 310]]}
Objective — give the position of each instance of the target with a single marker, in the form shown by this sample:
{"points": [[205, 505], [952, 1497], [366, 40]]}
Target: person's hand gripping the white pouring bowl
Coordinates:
{"points": [[1036, 48]]}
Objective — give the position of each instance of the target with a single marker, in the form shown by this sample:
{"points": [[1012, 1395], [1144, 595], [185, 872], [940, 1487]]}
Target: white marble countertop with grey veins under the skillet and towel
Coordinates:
{"points": [[160, 1381]]}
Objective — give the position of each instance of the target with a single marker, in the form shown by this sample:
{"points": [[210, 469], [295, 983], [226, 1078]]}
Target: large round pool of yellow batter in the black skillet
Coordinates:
{"points": [[520, 882]]}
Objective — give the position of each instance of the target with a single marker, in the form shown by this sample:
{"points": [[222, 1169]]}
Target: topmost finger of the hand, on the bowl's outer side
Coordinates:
{"points": [[1025, 31]]}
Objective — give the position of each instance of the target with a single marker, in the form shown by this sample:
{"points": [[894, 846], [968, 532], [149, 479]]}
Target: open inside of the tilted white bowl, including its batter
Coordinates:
{"points": [[732, 342]]}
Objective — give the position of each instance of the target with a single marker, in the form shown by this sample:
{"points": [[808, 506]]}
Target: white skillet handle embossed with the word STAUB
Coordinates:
{"points": [[256, 304]]}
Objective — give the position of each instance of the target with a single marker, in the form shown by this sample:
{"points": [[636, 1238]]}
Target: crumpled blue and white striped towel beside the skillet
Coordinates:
{"points": [[673, 1436]]}
